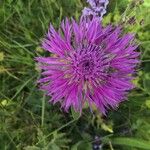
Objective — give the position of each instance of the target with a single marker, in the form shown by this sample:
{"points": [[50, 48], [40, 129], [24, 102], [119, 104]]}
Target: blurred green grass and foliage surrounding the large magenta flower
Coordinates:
{"points": [[27, 121]]}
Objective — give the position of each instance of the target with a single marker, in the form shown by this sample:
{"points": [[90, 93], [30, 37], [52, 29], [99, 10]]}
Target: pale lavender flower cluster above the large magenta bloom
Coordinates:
{"points": [[97, 9]]}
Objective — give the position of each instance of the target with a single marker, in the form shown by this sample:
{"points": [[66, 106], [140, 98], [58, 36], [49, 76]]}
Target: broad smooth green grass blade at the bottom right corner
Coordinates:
{"points": [[138, 143]]}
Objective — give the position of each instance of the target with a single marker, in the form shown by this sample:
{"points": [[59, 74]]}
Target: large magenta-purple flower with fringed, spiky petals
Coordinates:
{"points": [[88, 63]]}
